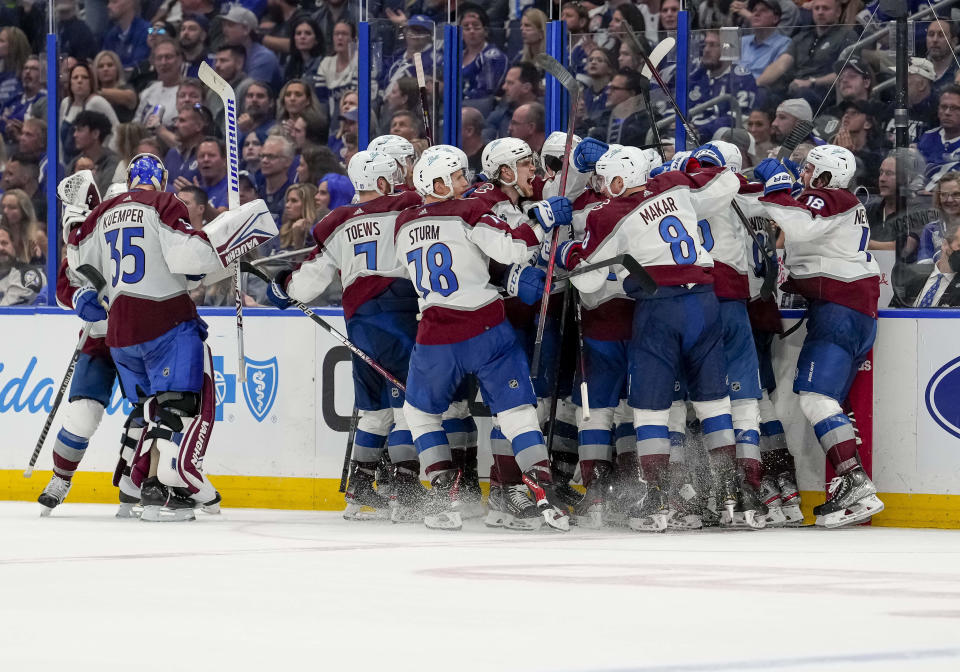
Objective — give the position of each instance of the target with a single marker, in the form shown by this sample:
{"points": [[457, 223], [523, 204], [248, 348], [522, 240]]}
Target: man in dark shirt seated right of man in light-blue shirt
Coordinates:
{"points": [[806, 68]]}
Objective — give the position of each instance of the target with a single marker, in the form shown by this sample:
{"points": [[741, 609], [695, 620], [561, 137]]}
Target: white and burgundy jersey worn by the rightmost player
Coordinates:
{"points": [[826, 234]]}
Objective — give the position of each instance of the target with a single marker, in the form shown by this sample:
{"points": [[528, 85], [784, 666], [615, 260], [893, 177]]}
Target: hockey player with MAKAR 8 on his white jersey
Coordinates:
{"points": [[676, 330]]}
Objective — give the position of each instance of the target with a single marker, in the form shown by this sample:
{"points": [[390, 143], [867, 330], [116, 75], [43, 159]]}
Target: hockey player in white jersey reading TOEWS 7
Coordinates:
{"points": [[355, 242]]}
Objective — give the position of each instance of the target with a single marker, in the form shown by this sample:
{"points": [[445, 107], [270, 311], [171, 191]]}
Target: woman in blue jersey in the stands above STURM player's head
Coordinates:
{"points": [[484, 65]]}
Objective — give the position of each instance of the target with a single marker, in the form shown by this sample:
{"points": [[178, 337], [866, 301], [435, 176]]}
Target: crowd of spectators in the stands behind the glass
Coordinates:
{"points": [[128, 83]]}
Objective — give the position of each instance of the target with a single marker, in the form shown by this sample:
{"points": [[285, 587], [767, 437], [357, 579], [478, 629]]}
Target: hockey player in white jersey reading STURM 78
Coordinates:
{"points": [[446, 246]]}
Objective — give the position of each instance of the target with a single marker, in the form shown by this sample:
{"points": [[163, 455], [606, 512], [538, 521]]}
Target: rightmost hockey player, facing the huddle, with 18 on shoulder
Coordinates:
{"points": [[826, 235]]}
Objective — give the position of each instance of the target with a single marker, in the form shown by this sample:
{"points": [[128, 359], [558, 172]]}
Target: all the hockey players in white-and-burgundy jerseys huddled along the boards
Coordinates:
{"points": [[442, 284]]}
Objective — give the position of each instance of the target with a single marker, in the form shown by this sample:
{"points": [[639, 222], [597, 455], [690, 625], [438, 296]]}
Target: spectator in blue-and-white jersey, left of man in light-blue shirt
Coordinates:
{"points": [[716, 77]]}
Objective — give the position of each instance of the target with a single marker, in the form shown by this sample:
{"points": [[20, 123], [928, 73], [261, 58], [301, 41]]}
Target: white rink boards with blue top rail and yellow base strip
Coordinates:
{"points": [[280, 437]]}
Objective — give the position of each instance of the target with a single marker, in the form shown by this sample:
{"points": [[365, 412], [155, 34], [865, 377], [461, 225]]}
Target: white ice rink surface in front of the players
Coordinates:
{"points": [[268, 590]]}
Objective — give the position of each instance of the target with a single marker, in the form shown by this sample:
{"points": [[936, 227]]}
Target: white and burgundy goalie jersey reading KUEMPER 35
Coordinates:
{"points": [[143, 245]]}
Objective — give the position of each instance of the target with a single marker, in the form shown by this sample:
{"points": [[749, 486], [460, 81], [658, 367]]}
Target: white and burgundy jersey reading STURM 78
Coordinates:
{"points": [[446, 248]]}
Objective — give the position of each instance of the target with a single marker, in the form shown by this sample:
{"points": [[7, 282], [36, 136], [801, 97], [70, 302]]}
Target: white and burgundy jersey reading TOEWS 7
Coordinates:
{"points": [[357, 242]]}
